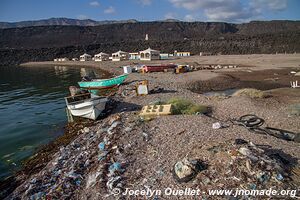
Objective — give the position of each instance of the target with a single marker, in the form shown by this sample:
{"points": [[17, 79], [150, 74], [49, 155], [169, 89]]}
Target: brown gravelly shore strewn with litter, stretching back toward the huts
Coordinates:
{"points": [[122, 152]]}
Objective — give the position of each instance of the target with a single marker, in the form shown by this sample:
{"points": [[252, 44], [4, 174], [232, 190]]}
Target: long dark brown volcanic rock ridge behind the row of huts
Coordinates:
{"points": [[37, 43]]}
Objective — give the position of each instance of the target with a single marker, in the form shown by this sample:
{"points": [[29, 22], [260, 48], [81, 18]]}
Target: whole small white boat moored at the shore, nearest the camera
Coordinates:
{"points": [[86, 105]]}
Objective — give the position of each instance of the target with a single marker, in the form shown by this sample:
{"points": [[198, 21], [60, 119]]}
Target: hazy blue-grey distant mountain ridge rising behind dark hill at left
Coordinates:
{"points": [[61, 22]]}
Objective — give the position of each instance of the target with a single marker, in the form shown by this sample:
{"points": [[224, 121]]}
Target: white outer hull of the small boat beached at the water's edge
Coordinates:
{"points": [[88, 108]]}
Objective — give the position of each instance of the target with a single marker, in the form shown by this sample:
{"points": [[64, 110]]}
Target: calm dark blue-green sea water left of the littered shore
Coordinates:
{"points": [[32, 109]]}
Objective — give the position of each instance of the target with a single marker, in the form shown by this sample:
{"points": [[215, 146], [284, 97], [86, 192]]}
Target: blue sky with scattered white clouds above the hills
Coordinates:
{"points": [[236, 11]]}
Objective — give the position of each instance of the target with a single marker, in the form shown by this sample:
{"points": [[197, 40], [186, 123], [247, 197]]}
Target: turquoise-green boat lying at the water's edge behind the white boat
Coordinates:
{"points": [[99, 84]]}
